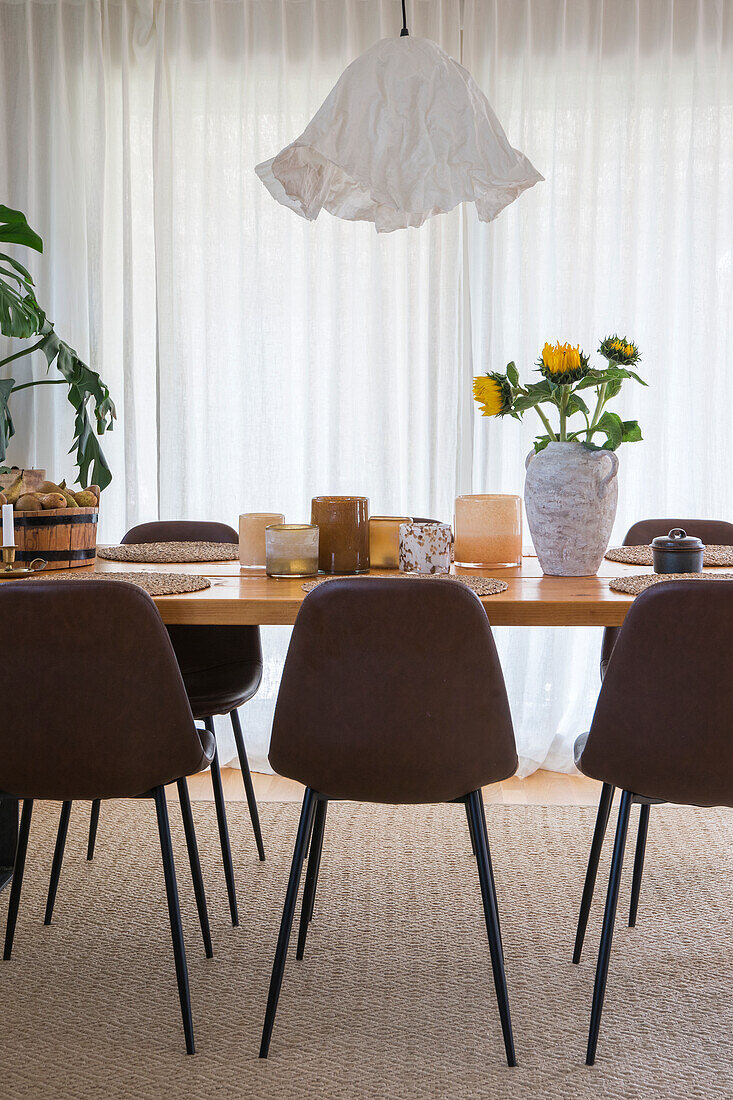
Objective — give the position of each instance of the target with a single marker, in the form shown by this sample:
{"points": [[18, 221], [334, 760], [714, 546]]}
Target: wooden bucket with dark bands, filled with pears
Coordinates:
{"points": [[54, 523]]}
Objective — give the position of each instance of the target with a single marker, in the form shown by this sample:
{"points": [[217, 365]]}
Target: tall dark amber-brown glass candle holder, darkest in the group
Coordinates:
{"points": [[344, 533]]}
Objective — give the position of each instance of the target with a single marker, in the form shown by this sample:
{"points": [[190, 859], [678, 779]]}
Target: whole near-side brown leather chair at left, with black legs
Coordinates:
{"points": [[138, 736]]}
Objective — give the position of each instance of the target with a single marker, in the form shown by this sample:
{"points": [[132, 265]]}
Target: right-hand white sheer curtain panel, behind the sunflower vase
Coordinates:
{"points": [[627, 108]]}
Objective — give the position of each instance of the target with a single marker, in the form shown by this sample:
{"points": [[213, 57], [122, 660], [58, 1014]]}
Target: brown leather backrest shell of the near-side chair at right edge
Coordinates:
{"points": [[664, 722]]}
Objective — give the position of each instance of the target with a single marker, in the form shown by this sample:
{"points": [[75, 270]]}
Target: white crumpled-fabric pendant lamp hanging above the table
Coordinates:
{"points": [[404, 135]]}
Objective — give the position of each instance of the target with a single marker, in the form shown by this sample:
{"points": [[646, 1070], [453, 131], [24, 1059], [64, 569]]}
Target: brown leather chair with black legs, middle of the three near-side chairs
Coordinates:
{"points": [[392, 692]]}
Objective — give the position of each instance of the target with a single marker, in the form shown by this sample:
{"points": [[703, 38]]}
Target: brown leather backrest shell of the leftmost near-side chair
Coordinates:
{"points": [[93, 702]]}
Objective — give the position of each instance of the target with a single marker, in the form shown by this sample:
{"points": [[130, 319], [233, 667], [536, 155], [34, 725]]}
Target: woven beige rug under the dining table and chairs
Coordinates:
{"points": [[395, 998]]}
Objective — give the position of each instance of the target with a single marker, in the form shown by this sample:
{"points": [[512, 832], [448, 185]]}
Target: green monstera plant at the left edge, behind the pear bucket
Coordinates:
{"points": [[21, 318]]}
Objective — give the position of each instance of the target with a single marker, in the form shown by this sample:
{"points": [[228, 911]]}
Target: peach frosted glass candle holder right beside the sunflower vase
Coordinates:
{"points": [[489, 531]]}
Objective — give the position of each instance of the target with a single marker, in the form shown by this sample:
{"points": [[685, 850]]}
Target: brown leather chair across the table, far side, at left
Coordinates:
{"points": [[222, 668]]}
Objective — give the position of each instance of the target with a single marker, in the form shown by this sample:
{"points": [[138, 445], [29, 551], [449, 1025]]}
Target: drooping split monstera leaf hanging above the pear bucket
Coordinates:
{"points": [[85, 389]]}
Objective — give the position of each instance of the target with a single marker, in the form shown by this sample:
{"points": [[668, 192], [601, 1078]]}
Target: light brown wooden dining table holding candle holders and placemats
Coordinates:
{"points": [[251, 599]]}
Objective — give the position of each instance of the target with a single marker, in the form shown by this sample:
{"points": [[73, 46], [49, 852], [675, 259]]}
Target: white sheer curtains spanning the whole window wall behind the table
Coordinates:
{"points": [[257, 360]]}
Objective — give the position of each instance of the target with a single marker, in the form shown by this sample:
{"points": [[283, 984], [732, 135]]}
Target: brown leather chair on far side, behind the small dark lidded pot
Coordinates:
{"points": [[713, 533]]}
